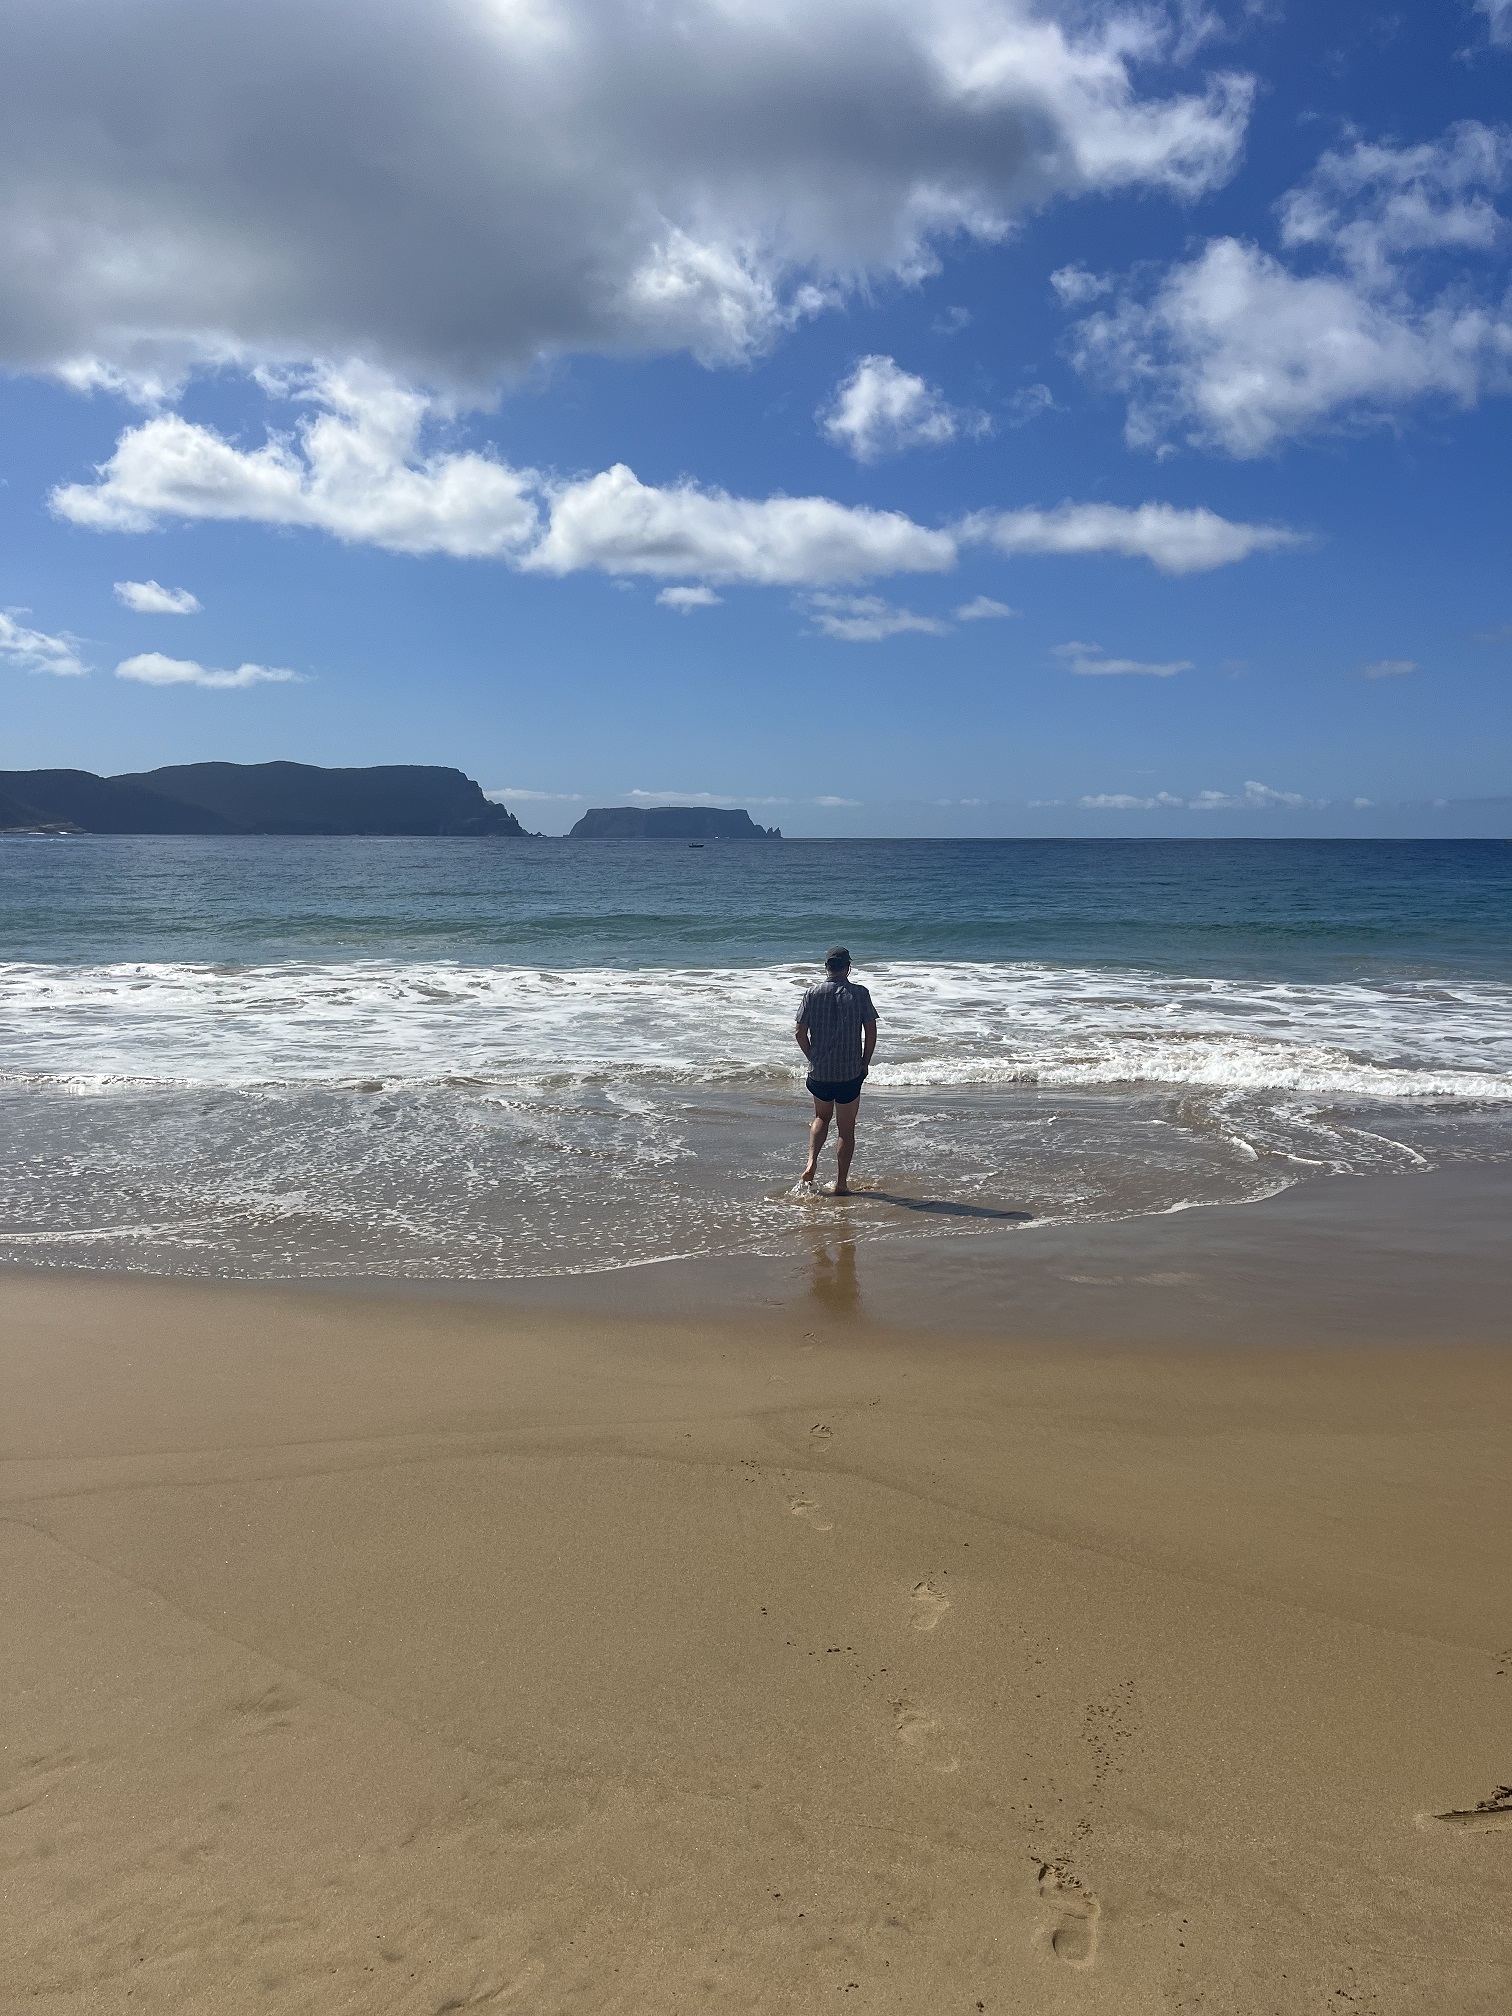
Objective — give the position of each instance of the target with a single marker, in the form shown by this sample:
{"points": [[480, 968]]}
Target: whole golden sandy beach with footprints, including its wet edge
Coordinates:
{"points": [[414, 1654]]}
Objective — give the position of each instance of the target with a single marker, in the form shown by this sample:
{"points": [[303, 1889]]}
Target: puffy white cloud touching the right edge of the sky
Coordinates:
{"points": [[1241, 352]]}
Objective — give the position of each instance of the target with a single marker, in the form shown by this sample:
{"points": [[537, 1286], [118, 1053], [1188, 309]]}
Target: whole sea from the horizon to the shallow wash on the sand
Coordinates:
{"points": [[495, 1059]]}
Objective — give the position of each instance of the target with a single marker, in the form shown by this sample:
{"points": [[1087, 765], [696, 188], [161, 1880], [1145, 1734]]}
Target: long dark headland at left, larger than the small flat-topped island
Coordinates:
{"points": [[255, 797]]}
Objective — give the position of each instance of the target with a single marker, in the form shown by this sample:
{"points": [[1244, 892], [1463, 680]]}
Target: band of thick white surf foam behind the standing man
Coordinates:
{"points": [[944, 1025]]}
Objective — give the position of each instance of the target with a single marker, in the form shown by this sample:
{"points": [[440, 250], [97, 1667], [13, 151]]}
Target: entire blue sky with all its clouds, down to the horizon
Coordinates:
{"points": [[344, 322]]}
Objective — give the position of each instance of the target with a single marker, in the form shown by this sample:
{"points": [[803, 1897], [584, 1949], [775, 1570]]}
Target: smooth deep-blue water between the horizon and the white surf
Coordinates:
{"points": [[1297, 910]]}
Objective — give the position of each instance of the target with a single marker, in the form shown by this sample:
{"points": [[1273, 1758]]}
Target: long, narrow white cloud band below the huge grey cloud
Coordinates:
{"points": [[360, 471]]}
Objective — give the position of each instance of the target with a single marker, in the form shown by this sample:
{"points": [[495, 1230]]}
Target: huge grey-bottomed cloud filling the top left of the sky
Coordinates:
{"points": [[459, 186]]}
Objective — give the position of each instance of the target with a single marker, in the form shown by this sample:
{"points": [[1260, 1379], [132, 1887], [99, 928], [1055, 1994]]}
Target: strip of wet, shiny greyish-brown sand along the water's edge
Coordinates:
{"points": [[1388, 1255]]}
